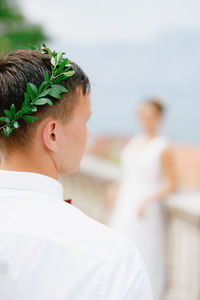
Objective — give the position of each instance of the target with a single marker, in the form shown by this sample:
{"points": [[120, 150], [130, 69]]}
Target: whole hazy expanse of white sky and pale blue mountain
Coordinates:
{"points": [[155, 44]]}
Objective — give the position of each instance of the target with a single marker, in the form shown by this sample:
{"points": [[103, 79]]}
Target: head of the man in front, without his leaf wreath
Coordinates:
{"points": [[60, 131]]}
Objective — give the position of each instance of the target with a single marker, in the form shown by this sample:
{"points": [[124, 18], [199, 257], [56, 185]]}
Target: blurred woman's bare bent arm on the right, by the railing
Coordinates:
{"points": [[169, 171]]}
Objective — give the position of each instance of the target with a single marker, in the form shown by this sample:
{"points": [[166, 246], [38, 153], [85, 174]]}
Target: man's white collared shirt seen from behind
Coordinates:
{"points": [[50, 250]]}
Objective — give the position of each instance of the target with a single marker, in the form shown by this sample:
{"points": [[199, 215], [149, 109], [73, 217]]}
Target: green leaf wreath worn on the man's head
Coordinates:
{"points": [[61, 70]]}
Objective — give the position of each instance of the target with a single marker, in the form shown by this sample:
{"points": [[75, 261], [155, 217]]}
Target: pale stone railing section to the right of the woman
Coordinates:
{"points": [[183, 240]]}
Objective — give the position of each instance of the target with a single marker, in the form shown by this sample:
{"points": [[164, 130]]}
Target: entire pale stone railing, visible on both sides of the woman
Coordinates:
{"points": [[87, 191]]}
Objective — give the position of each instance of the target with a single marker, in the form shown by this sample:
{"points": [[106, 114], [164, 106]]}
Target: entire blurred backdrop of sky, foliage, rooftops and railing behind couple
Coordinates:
{"points": [[131, 50]]}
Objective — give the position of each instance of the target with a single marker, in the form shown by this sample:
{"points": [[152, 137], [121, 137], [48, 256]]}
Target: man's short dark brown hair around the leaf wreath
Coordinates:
{"points": [[23, 66]]}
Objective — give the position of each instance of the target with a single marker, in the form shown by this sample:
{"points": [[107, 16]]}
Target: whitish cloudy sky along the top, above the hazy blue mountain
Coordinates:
{"points": [[107, 21]]}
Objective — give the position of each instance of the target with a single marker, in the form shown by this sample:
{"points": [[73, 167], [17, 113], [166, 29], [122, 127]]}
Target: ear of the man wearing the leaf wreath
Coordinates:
{"points": [[49, 134]]}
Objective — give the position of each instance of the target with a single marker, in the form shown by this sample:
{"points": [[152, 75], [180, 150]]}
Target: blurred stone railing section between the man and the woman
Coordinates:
{"points": [[88, 189]]}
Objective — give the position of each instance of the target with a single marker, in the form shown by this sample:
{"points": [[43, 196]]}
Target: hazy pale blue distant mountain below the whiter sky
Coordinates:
{"points": [[122, 75]]}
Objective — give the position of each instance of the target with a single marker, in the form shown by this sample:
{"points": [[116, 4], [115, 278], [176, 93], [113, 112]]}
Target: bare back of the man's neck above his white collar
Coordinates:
{"points": [[29, 161]]}
